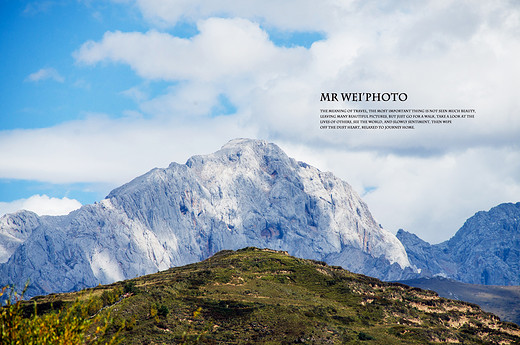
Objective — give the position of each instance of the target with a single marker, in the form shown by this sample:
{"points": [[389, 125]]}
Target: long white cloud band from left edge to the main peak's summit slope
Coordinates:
{"points": [[113, 151]]}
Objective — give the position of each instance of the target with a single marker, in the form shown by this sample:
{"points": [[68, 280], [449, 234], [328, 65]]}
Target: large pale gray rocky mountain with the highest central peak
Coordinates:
{"points": [[249, 193]]}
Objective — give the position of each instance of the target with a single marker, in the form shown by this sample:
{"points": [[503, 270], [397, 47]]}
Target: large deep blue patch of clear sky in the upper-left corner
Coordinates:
{"points": [[42, 37]]}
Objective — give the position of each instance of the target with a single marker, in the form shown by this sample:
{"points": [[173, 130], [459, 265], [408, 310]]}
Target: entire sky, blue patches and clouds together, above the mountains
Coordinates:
{"points": [[97, 92]]}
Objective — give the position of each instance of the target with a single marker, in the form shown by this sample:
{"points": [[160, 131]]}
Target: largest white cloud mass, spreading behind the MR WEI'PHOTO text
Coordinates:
{"points": [[448, 67]]}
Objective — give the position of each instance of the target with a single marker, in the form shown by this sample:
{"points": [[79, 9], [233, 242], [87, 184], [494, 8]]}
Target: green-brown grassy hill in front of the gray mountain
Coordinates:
{"points": [[267, 297]]}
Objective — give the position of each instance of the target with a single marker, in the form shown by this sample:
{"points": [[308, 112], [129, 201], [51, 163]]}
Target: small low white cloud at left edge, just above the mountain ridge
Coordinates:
{"points": [[41, 205]]}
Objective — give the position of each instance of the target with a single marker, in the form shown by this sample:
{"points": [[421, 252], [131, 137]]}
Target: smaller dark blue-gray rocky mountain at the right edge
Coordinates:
{"points": [[486, 250]]}
